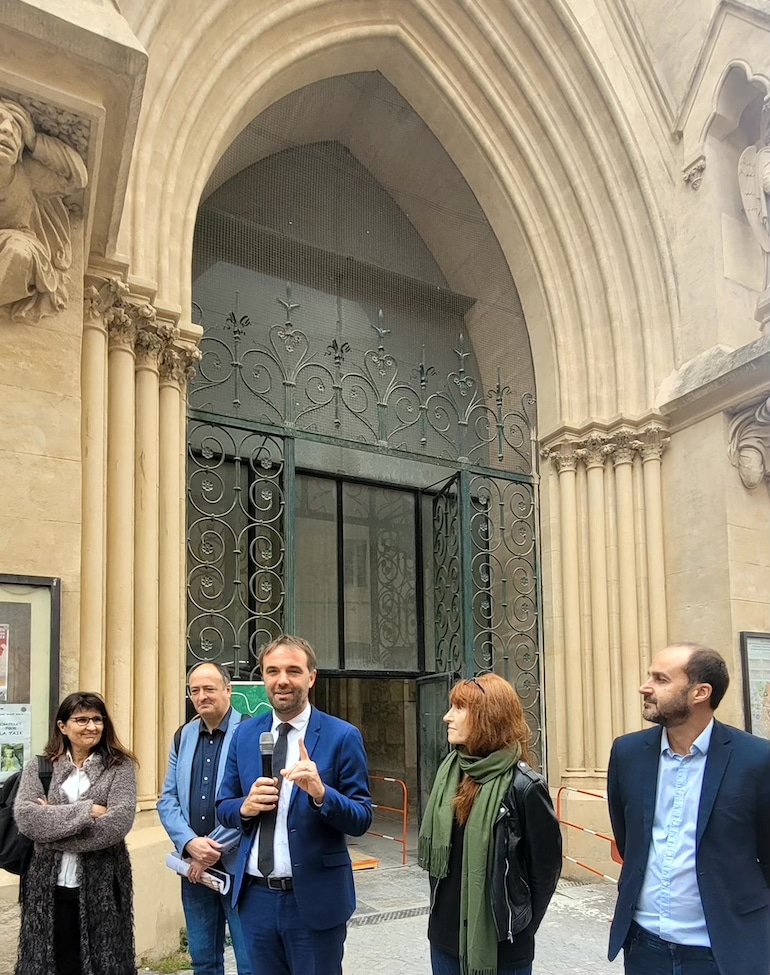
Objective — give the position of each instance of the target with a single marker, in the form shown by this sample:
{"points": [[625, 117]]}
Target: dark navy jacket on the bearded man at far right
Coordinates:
{"points": [[732, 840]]}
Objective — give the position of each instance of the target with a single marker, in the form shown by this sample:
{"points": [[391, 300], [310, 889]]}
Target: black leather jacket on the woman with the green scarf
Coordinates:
{"points": [[526, 859]]}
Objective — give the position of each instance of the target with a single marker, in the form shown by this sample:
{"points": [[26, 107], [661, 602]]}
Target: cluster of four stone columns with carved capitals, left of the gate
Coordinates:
{"points": [[134, 376]]}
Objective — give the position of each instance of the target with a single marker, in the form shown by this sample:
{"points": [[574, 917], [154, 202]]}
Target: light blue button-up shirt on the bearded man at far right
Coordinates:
{"points": [[669, 902]]}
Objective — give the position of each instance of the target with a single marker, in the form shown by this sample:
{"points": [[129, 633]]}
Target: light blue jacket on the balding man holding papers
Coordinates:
{"points": [[174, 801]]}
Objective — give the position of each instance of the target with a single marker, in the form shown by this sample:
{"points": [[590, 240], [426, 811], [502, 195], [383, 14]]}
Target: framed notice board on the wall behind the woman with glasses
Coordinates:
{"points": [[30, 613]]}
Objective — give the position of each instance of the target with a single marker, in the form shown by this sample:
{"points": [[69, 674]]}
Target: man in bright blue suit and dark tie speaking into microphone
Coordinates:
{"points": [[293, 880]]}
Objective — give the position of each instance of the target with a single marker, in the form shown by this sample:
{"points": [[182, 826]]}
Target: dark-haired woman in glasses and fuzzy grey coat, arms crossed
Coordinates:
{"points": [[77, 895]]}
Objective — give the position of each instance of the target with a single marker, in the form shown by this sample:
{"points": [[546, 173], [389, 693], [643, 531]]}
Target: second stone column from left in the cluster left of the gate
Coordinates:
{"points": [[118, 682]]}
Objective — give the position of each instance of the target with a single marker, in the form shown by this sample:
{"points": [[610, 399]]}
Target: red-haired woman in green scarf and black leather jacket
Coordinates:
{"points": [[489, 837]]}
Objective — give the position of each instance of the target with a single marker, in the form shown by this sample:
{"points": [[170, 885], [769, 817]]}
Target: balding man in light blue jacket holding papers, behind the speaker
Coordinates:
{"points": [[186, 808]]}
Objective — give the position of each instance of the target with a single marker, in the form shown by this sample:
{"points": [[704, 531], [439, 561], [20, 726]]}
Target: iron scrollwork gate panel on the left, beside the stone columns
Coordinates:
{"points": [[235, 544]]}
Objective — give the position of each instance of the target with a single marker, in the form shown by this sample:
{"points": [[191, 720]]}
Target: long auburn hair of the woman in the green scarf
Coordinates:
{"points": [[495, 721]]}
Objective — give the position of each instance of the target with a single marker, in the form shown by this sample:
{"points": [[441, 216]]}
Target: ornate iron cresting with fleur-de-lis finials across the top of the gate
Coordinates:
{"points": [[273, 375]]}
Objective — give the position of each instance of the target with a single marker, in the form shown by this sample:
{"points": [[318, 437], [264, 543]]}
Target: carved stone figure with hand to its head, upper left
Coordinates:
{"points": [[37, 173]]}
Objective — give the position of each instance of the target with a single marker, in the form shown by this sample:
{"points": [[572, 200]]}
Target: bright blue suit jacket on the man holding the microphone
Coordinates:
{"points": [[323, 876]]}
